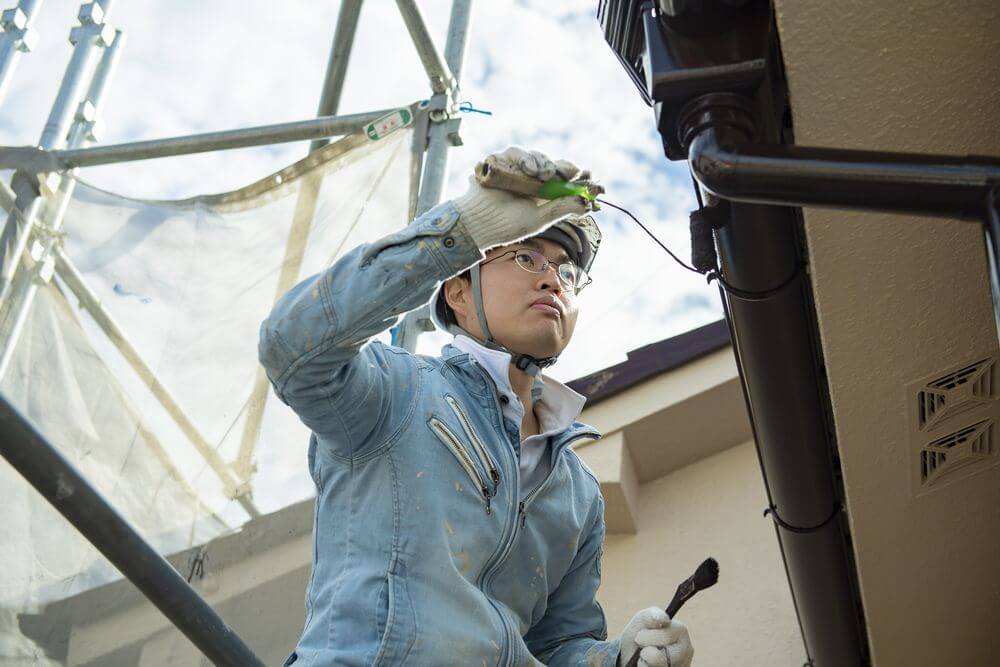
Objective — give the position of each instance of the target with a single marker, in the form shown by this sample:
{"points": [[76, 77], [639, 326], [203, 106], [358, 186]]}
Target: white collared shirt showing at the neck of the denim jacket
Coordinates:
{"points": [[556, 409]]}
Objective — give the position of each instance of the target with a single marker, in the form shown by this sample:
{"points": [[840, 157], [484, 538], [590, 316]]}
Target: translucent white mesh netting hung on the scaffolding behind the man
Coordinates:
{"points": [[138, 360]]}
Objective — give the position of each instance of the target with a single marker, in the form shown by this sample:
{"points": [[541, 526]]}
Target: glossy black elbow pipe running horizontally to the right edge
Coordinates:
{"points": [[726, 157]]}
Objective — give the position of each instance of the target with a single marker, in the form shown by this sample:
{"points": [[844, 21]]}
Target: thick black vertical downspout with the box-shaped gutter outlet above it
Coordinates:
{"points": [[728, 48]]}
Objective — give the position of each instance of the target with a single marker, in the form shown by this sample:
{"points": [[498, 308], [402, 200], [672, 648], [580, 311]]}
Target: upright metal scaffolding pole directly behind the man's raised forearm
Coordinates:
{"points": [[443, 132]]}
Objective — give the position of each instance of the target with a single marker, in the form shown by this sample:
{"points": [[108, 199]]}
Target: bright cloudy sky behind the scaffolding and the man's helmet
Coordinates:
{"points": [[541, 67]]}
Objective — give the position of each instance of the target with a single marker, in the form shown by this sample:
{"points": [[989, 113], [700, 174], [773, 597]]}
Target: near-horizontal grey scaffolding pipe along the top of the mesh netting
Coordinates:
{"points": [[304, 130]]}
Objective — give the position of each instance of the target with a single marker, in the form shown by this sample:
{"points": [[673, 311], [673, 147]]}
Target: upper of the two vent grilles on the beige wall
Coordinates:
{"points": [[956, 392]]}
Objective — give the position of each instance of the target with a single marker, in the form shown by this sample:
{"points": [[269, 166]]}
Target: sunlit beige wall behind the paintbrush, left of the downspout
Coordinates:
{"points": [[710, 508]]}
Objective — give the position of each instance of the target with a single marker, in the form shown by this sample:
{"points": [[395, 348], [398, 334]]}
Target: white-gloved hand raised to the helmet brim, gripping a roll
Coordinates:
{"points": [[496, 217]]}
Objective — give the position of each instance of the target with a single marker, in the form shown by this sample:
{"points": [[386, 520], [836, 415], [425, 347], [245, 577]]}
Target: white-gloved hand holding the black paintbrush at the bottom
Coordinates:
{"points": [[660, 641]]}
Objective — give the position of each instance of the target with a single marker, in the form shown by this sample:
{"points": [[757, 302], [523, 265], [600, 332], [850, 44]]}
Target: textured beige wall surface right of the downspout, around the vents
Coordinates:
{"points": [[900, 298]]}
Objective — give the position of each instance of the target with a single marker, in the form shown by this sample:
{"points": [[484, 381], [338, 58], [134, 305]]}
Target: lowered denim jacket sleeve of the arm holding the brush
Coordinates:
{"points": [[573, 630]]}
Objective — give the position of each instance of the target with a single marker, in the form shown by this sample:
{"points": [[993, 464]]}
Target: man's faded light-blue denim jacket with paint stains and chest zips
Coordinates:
{"points": [[422, 552]]}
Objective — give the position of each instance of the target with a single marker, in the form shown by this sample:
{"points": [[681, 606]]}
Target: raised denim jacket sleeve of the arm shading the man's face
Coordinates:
{"points": [[312, 346]]}
